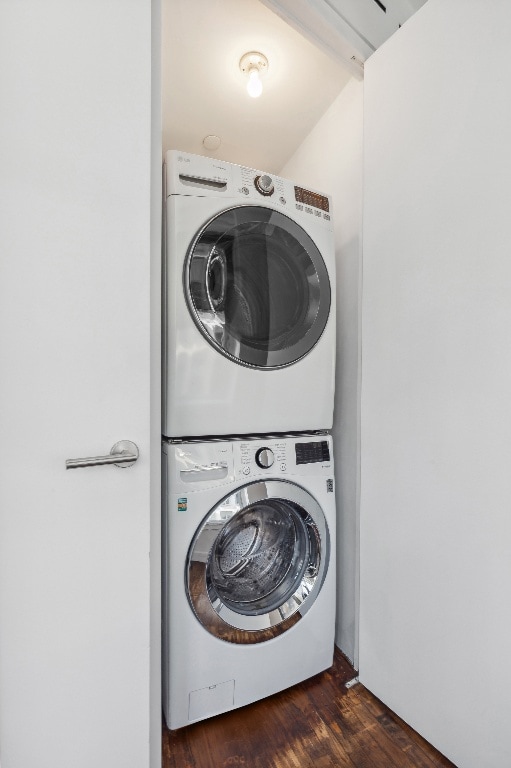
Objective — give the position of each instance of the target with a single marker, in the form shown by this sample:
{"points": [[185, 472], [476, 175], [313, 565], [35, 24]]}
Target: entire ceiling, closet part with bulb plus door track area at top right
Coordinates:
{"points": [[313, 47]]}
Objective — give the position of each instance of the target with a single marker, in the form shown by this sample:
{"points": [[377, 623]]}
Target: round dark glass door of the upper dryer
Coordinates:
{"points": [[257, 287]]}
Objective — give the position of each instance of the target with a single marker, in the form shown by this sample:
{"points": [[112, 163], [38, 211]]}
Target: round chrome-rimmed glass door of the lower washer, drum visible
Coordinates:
{"points": [[258, 562]]}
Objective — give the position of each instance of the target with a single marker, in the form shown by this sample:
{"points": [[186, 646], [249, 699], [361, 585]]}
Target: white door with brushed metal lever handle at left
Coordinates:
{"points": [[75, 357]]}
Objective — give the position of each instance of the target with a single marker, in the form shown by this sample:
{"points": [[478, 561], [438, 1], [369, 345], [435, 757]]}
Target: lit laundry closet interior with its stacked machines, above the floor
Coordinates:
{"points": [[250, 345]]}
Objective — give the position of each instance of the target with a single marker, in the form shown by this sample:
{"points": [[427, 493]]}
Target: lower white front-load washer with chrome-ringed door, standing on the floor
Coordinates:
{"points": [[249, 571]]}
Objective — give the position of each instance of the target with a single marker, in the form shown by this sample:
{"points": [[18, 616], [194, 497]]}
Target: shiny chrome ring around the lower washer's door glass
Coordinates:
{"points": [[311, 581]]}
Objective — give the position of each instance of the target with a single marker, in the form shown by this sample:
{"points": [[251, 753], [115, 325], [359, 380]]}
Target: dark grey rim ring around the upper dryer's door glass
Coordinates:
{"points": [[215, 320]]}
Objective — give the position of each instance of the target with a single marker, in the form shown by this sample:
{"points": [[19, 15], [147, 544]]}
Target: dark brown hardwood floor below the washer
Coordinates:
{"points": [[317, 724]]}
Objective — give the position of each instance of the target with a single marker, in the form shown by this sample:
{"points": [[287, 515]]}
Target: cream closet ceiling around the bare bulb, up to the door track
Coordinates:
{"points": [[204, 91]]}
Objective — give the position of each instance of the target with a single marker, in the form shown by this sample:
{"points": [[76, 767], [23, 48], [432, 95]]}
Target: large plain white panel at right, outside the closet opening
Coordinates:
{"points": [[436, 379]]}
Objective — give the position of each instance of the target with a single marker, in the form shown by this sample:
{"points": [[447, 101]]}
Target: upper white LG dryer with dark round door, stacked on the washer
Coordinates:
{"points": [[249, 329]]}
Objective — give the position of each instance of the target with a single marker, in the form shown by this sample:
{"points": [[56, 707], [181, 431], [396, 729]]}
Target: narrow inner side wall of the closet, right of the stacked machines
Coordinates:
{"points": [[330, 160]]}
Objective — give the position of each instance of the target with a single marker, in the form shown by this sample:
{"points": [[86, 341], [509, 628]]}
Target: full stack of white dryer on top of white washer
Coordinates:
{"points": [[249, 512]]}
